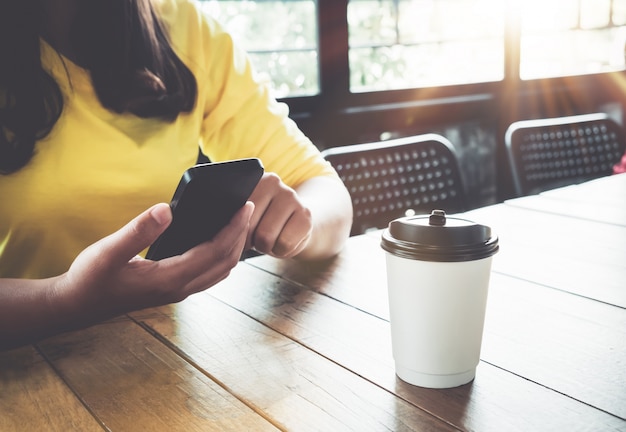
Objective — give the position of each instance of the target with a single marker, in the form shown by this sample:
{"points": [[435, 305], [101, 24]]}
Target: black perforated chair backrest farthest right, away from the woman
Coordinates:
{"points": [[549, 153]]}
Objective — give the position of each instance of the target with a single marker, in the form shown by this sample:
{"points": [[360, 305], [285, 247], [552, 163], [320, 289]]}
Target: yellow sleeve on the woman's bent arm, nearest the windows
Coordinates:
{"points": [[240, 117]]}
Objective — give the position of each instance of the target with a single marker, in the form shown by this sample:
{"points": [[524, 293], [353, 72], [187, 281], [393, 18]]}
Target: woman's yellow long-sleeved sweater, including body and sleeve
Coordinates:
{"points": [[96, 170]]}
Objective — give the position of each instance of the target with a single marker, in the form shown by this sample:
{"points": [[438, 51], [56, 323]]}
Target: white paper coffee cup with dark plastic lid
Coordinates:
{"points": [[438, 282]]}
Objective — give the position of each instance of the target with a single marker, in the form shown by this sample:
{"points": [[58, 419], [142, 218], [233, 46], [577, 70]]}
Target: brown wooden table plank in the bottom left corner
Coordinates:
{"points": [[34, 398]]}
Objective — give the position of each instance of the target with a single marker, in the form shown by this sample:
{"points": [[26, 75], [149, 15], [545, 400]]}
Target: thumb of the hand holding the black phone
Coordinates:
{"points": [[136, 235]]}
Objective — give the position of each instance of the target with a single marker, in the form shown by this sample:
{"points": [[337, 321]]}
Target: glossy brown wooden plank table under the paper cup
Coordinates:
{"points": [[282, 345]]}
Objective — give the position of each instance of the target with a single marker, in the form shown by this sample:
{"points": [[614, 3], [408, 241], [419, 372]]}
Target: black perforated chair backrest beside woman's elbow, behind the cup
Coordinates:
{"points": [[398, 177]]}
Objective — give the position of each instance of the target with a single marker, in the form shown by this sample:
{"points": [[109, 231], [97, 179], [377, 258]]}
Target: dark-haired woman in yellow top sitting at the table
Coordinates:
{"points": [[103, 105]]}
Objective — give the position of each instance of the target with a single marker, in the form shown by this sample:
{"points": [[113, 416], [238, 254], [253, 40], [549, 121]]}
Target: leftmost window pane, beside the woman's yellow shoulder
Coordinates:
{"points": [[280, 37]]}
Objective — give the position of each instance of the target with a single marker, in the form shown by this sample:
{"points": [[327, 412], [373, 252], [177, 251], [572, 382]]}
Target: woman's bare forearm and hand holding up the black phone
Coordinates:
{"points": [[108, 279]]}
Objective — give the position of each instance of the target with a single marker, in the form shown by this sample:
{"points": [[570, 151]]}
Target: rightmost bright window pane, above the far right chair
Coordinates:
{"points": [[571, 37]]}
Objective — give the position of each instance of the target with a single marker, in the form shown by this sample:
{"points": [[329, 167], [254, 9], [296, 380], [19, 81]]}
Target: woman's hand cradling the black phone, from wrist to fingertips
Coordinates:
{"points": [[110, 277]]}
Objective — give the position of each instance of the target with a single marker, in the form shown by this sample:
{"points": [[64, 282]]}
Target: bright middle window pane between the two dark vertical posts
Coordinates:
{"points": [[398, 44]]}
